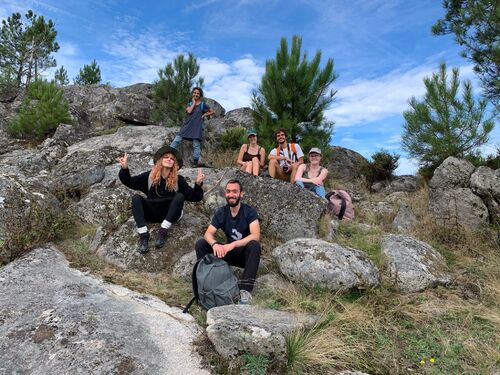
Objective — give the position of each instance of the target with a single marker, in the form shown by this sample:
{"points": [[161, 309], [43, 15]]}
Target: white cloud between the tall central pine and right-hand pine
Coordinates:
{"points": [[367, 100]]}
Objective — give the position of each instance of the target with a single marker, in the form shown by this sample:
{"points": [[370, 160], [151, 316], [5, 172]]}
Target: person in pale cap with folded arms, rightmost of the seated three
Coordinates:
{"points": [[312, 175]]}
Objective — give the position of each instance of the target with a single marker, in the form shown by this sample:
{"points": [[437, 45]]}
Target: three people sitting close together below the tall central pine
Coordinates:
{"points": [[286, 162]]}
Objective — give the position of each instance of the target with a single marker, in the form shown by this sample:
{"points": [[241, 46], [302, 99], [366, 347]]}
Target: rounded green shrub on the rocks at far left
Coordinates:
{"points": [[42, 110]]}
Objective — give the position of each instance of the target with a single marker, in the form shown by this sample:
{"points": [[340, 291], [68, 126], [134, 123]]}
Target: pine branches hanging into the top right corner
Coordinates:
{"points": [[476, 25]]}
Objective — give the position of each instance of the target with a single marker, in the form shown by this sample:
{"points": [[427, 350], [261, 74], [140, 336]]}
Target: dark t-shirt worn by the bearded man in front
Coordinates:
{"points": [[237, 227]]}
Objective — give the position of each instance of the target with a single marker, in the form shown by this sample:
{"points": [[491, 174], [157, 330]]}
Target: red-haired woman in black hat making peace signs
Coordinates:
{"points": [[165, 190]]}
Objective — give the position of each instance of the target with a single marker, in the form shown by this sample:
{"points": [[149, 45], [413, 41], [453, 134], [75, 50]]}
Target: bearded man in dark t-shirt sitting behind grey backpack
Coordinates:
{"points": [[240, 224]]}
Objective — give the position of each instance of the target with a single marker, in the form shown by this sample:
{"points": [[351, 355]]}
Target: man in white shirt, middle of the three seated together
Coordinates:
{"points": [[285, 159]]}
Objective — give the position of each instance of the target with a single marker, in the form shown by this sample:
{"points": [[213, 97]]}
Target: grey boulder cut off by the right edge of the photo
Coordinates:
{"points": [[485, 182]]}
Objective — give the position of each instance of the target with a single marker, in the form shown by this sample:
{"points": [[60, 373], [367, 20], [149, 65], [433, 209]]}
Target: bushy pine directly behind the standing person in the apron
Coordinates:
{"points": [[172, 90]]}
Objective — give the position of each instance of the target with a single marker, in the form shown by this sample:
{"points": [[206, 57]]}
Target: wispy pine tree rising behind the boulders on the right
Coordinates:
{"points": [[442, 125]]}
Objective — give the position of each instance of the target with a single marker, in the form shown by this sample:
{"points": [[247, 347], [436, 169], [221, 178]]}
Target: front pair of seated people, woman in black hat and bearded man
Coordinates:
{"points": [[166, 191]]}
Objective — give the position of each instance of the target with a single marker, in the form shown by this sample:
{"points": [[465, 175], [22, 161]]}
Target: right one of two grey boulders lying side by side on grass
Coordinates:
{"points": [[413, 265]]}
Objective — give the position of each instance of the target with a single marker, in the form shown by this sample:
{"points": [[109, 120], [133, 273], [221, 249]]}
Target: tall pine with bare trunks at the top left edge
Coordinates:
{"points": [[25, 50]]}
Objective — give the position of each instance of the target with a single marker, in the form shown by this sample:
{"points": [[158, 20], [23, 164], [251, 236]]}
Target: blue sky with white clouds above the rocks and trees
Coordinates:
{"points": [[381, 49]]}
